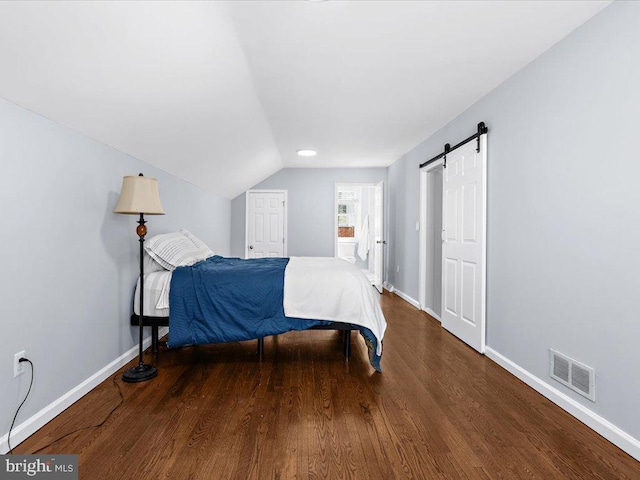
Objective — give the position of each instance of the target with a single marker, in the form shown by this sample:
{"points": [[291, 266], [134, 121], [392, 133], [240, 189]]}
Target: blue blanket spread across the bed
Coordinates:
{"points": [[230, 299]]}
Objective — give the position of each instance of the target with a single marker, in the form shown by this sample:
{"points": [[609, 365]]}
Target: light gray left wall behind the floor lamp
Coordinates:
{"points": [[69, 264]]}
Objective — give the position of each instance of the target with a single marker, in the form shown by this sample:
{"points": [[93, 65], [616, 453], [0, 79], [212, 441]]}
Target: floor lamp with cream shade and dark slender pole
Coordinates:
{"points": [[139, 196]]}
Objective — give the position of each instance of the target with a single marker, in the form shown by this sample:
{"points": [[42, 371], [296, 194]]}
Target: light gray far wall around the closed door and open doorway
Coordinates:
{"points": [[311, 206]]}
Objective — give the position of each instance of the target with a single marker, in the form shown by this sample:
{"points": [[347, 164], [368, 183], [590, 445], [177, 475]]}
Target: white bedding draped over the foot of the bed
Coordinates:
{"points": [[332, 289]]}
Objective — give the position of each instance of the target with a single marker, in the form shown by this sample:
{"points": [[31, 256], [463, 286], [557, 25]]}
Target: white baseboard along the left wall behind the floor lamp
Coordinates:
{"points": [[55, 408]]}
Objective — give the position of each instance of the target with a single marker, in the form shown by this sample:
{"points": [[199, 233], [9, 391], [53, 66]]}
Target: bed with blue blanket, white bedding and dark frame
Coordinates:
{"points": [[213, 299]]}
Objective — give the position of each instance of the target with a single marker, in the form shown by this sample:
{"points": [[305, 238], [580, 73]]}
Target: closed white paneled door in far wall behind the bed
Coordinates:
{"points": [[266, 223]]}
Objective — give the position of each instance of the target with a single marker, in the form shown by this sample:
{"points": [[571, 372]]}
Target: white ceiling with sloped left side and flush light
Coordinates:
{"points": [[222, 94]]}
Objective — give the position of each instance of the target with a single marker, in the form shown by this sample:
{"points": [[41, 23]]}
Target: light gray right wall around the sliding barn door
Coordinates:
{"points": [[563, 210]]}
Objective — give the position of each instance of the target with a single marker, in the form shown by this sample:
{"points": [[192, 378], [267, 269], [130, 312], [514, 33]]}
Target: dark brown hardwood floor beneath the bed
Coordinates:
{"points": [[439, 410]]}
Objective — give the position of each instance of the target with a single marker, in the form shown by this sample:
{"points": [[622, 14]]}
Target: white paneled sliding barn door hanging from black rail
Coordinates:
{"points": [[464, 243]]}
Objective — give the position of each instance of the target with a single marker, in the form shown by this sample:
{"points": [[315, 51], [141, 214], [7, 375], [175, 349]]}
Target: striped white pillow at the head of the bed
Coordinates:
{"points": [[177, 249]]}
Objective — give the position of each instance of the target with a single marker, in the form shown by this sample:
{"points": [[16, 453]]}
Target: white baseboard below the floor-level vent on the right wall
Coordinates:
{"points": [[591, 419]]}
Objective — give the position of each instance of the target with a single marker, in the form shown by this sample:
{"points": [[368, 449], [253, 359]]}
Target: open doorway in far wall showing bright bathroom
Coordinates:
{"points": [[358, 237]]}
